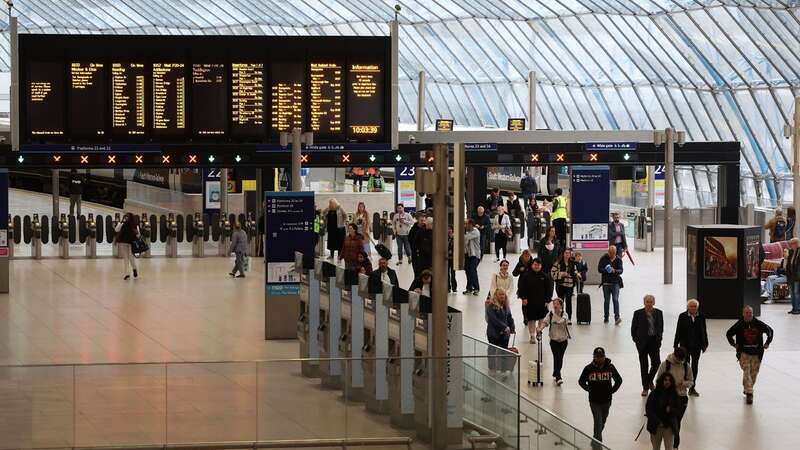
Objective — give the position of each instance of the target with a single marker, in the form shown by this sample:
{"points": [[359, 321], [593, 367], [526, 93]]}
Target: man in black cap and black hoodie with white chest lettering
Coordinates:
{"points": [[596, 379]]}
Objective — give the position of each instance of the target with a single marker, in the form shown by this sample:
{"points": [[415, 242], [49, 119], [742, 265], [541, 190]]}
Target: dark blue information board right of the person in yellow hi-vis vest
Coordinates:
{"points": [[590, 206]]}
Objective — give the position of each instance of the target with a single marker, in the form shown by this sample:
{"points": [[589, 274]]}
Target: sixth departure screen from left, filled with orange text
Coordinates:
{"points": [[247, 99]]}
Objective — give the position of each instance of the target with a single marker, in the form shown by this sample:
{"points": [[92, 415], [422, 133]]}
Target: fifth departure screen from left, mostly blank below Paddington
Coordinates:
{"points": [[209, 99]]}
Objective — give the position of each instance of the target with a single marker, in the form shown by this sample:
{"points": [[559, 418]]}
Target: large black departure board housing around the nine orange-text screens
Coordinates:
{"points": [[190, 50]]}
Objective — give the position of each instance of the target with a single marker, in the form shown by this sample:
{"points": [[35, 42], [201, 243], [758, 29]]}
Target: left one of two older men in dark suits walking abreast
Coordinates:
{"points": [[647, 329]]}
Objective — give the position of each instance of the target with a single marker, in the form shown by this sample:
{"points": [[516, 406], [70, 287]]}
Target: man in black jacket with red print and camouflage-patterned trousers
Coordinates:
{"points": [[749, 343]]}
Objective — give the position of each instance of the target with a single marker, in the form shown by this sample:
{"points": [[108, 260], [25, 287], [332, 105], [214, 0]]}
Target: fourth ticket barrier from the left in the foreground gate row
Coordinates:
{"points": [[376, 349]]}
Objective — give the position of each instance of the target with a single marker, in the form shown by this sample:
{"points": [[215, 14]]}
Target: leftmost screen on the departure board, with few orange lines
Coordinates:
{"points": [[45, 99]]}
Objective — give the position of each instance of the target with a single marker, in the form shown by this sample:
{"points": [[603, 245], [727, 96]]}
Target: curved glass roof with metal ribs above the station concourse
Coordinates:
{"points": [[719, 69]]}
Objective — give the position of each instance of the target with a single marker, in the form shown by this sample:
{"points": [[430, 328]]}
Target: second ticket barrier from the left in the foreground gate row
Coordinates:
{"points": [[330, 327]]}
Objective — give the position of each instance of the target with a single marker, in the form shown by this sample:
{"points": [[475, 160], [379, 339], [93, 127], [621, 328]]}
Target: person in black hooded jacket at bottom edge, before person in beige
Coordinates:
{"points": [[661, 411]]}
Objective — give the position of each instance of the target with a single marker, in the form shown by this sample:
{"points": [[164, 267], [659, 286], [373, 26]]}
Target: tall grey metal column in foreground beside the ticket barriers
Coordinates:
{"points": [[439, 297]]}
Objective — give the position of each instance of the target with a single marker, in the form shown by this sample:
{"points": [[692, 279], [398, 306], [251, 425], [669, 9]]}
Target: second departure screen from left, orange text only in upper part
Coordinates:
{"points": [[87, 98]]}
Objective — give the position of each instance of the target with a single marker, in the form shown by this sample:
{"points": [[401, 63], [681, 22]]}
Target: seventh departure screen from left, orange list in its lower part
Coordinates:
{"points": [[287, 89]]}
